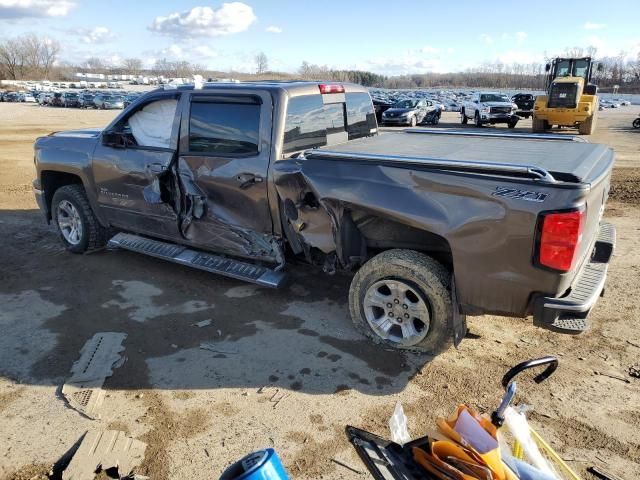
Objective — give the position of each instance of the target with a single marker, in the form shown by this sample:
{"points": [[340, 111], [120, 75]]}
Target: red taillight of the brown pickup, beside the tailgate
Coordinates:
{"points": [[560, 236]]}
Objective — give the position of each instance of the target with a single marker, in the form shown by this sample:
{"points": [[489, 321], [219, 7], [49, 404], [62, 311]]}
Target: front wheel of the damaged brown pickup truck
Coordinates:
{"points": [[79, 228]]}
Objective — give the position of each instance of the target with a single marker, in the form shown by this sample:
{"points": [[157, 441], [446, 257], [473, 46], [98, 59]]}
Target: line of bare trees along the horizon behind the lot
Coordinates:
{"points": [[29, 57]]}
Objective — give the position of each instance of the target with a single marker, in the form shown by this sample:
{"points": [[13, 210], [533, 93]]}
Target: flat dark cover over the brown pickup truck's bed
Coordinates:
{"points": [[565, 160]]}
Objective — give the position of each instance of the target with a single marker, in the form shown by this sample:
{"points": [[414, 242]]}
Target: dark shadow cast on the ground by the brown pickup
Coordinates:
{"points": [[300, 337]]}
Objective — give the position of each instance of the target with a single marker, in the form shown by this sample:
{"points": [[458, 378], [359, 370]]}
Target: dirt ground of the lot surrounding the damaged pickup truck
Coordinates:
{"points": [[200, 410]]}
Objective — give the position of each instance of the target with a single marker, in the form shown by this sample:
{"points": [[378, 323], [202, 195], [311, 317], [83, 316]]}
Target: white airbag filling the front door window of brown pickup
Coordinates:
{"points": [[151, 126]]}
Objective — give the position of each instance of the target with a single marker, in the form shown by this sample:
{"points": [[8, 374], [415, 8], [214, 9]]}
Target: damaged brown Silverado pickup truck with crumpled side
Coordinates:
{"points": [[245, 179]]}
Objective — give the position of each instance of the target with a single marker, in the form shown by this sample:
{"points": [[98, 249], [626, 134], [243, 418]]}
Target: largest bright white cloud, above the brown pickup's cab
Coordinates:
{"points": [[230, 18]]}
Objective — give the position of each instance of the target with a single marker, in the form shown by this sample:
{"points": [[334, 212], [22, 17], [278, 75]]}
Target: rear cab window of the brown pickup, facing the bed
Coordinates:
{"points": [[318, 120]]}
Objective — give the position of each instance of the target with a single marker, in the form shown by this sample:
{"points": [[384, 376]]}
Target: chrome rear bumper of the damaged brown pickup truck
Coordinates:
{"points": [[568, 314]]}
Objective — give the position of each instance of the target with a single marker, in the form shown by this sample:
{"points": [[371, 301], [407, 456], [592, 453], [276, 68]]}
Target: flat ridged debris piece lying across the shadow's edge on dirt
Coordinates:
{"points": [[83, 391]]}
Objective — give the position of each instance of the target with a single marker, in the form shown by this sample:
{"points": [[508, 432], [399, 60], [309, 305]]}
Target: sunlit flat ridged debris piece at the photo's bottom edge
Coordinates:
{"points": [[105, 450]]}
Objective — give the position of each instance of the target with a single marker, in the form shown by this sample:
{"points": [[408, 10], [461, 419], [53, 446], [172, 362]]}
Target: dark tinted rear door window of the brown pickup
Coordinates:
{"points": [[224, 128]]}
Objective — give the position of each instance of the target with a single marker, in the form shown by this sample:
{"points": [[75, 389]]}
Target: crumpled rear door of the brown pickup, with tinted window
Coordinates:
{"points": [[224, 154]]}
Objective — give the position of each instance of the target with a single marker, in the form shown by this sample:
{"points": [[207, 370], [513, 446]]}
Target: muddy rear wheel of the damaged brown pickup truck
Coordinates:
{"points": [[402, 299]]}
